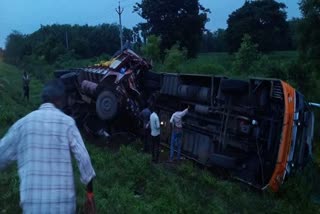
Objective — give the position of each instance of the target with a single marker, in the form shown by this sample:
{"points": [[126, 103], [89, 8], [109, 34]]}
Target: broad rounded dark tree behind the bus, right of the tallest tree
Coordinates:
{"points": [[265, 22]]}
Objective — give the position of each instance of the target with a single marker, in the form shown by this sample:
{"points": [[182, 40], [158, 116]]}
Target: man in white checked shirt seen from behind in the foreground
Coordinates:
{"points": [[42, 143]]}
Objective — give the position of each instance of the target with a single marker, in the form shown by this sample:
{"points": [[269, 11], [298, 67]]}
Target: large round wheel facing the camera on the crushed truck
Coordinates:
{"points": [[107, 105]]}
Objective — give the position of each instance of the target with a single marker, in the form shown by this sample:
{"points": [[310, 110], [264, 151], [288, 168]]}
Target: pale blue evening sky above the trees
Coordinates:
{"points": [[26, 16]]}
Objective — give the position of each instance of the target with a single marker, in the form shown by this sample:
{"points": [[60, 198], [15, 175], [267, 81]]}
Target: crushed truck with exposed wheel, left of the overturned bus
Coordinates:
{"points": [[106, 97]]}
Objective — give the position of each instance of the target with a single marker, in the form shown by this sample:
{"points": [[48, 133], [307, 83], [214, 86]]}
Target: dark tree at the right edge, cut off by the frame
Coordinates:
{"points": [[305, 72]]}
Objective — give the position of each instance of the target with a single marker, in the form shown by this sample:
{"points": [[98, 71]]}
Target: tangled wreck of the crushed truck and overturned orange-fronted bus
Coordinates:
{"points": [[259, 130]]}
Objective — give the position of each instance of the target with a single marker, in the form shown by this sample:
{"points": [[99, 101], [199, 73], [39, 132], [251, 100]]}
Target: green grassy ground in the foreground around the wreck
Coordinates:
{"points": [[127, 181]]}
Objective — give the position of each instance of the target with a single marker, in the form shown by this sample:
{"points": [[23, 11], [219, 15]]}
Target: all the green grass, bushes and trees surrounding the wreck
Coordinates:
{"points": [[127, 181]]}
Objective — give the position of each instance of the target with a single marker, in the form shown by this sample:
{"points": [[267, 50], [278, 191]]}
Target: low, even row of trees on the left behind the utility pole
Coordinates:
{"points": [[50, 43]]}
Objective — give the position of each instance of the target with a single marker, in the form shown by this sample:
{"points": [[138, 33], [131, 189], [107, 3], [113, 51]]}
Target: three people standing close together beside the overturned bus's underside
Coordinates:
{"points": [[151, 125]]}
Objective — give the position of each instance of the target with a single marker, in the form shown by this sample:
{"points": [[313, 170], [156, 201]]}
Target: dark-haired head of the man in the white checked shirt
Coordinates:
{"points": [[53, 92]]}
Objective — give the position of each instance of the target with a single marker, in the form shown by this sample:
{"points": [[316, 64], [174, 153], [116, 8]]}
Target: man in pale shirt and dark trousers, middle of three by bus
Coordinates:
{"points": [[155, 134]]}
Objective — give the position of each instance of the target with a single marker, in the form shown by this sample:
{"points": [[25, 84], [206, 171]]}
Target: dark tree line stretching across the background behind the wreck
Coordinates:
{"points": [[180, 24]]}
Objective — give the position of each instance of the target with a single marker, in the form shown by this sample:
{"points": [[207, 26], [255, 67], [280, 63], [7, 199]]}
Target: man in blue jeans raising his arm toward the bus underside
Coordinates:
{"points": [[176, 124]]}
